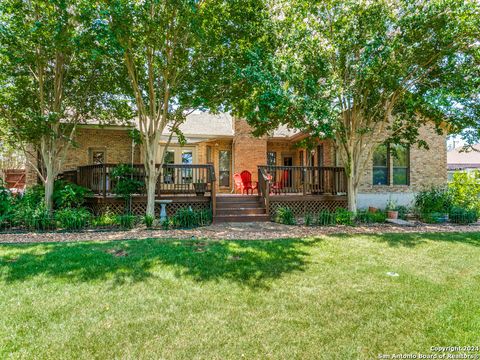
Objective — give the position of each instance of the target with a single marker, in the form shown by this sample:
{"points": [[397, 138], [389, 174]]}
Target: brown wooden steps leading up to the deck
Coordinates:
{"points": [[240, 208]]}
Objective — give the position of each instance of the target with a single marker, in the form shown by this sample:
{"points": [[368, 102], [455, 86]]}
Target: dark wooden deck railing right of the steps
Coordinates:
{"points": [[304, 180]]}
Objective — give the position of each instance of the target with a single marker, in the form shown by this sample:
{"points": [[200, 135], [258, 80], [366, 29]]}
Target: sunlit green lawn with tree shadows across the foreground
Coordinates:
{"points": [[328, 297]]}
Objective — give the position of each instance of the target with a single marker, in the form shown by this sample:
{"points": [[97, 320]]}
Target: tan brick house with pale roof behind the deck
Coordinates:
{"points": [[313, 177]]}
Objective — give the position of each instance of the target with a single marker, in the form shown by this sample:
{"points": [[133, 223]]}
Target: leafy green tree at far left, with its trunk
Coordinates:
{"points": [[54, 72]]}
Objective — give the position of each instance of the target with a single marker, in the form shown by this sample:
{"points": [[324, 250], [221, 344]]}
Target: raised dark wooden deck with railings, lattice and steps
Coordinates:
{"points": [[302, 188]]}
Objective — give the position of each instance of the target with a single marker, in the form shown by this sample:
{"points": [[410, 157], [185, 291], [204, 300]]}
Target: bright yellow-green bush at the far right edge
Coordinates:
{"points": [[465, 190]]}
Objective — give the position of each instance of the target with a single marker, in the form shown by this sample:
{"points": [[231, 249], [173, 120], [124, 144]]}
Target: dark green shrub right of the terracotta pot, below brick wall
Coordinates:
{"points": [[433, 200]]}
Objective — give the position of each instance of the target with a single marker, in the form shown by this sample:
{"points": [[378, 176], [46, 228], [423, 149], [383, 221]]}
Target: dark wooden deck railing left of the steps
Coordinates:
{"points": [[174, 179]]}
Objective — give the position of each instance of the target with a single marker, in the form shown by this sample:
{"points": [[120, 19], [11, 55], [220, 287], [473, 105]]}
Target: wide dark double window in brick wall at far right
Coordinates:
{"points": [[395, 157]]}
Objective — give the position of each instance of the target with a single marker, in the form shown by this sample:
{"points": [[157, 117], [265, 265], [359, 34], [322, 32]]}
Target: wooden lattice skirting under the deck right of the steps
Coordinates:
{"points": [[301, 207]]}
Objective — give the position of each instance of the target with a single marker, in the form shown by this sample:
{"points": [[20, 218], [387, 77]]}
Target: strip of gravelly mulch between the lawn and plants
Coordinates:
{"points": [[232, 231]]}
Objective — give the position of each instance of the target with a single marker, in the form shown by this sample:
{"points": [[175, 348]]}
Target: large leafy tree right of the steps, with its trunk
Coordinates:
{"points": [[346, 70]]}
